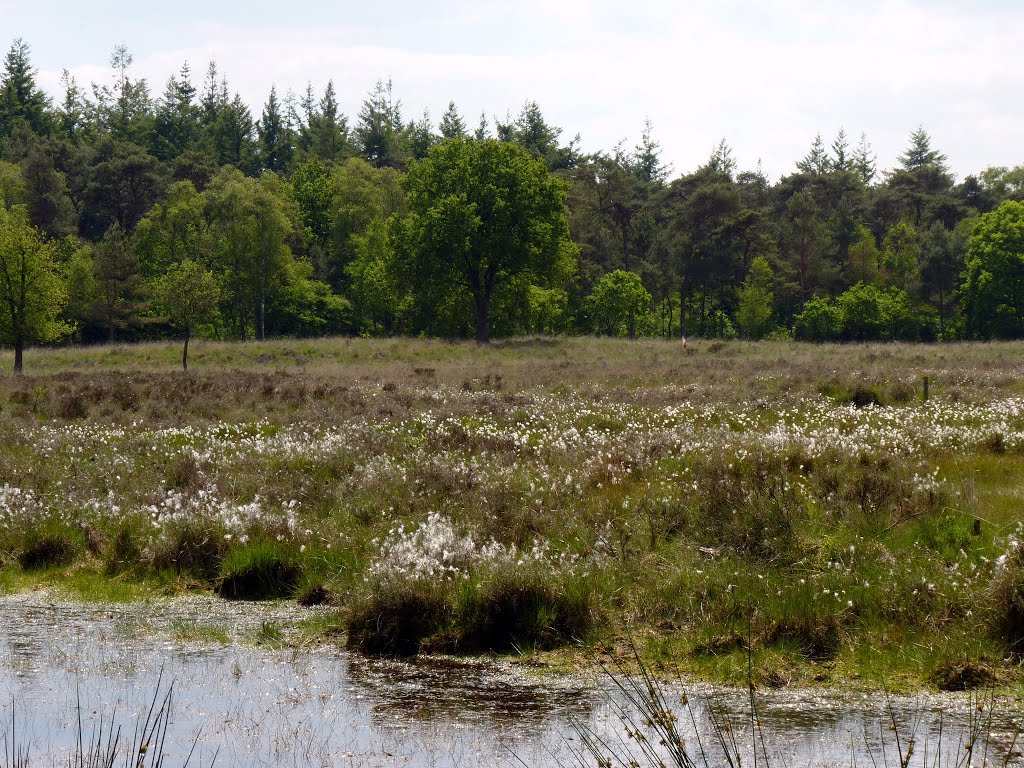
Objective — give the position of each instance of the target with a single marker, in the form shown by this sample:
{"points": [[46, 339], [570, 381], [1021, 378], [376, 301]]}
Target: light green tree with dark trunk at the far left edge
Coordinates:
{"points": [[32, 294]]}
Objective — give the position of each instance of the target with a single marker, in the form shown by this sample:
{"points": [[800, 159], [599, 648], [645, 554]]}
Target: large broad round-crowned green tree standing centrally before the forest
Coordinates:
{"points": [[483, 214]]}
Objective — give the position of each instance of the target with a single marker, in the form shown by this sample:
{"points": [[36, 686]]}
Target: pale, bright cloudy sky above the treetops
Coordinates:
{"points": [[766, 76]]}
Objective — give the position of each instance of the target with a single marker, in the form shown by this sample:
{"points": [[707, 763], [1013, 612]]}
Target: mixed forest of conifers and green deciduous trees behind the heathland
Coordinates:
{"points": [[127, 217]]}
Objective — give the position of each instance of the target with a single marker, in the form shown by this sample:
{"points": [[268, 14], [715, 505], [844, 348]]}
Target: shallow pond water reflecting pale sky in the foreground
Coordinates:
{"points": [[323, 707]]}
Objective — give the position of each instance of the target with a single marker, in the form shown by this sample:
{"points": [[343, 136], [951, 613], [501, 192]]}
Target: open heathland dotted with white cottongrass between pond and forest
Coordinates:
{"points": [[800, 511]]}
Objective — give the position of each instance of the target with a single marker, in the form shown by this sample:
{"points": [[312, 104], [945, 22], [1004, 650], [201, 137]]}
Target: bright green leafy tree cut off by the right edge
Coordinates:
{"points": [[994, 281]]}
